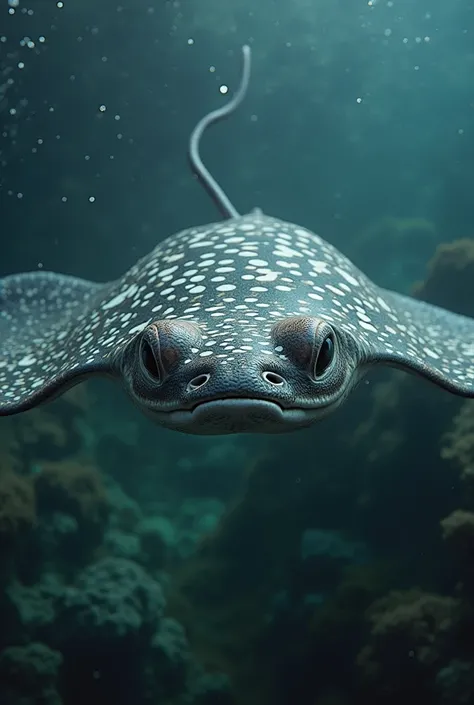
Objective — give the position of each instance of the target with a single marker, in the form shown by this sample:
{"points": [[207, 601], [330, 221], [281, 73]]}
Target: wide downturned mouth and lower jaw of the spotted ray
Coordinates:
{"points": [[236, 415]]}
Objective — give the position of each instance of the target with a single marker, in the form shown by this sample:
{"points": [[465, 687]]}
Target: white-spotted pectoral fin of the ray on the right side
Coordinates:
{"points": [[427, 340]]}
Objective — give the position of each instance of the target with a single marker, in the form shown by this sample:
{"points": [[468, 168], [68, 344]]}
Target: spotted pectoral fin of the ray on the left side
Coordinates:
{"points": [[39, 355]]}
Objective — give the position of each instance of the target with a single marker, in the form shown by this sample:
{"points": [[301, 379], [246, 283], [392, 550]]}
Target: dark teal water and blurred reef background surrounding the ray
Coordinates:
{"points": [[331, 566]]}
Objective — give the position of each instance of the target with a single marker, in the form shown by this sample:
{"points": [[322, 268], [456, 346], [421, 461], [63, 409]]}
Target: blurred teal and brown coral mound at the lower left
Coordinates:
{"points": [[85, 588]]}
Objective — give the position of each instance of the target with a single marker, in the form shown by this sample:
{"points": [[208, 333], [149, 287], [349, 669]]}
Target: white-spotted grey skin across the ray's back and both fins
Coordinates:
{"points": [[235, 280]]}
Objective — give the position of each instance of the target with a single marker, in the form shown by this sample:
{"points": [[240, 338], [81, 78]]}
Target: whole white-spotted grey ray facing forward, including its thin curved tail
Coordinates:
{"points": [[249, 324]]}
